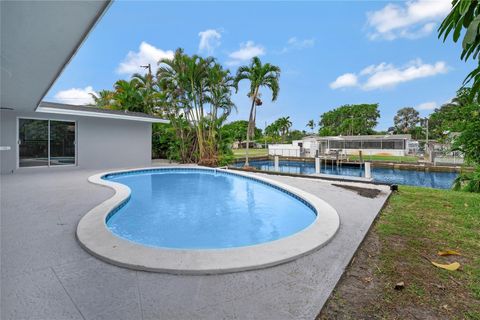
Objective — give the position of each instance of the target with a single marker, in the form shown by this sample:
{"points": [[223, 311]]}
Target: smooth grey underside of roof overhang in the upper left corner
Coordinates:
{"points": [[38, 39]]}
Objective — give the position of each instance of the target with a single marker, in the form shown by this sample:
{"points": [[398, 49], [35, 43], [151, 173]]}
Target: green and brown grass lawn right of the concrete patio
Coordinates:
{"points": [[413, 227]]}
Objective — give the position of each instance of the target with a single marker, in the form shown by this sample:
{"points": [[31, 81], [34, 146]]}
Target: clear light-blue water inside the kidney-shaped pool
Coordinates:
{"points": [[201, 209]]}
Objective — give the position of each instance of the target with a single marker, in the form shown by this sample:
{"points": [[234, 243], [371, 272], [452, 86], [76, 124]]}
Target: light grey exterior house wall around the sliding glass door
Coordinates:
{"points": [[101, 142]]}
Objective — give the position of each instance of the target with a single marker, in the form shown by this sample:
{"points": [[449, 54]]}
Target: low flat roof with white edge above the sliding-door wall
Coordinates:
{"points": [[87, 111]]}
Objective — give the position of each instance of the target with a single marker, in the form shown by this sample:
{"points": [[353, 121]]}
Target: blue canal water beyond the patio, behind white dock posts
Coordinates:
{"points": [[439, 180]]}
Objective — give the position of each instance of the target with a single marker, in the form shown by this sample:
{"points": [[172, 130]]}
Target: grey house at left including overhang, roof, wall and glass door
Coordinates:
{"points": [[38, 39]]}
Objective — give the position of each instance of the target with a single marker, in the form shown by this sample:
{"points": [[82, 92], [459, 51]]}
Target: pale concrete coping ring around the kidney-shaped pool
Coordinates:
{"points": [[94, 236]]}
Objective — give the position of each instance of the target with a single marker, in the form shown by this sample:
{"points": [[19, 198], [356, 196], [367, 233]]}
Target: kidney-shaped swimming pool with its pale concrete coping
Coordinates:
{"points": [[194, 220]]}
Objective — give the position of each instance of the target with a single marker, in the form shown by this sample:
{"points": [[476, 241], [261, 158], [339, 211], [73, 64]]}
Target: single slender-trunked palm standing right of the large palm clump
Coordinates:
{"points": [[260, 75]]}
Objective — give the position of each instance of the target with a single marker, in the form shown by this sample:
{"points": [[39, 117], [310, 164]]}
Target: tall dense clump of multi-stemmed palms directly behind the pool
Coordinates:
{"points": [[198, 89]]}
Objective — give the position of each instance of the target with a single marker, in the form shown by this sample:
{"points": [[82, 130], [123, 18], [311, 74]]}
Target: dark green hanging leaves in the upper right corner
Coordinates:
{"points": [[465, 15]]}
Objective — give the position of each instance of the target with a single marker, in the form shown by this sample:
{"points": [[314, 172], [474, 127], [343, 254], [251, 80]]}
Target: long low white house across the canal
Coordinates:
{"points": [[310, 146]]}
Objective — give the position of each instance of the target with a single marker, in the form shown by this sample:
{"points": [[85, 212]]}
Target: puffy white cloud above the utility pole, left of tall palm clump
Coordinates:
{"points": [[147, 54]]}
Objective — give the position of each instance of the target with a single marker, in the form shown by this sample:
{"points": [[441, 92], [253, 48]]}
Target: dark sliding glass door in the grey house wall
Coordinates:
{"points": [[46, 143]]}
